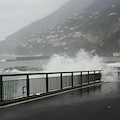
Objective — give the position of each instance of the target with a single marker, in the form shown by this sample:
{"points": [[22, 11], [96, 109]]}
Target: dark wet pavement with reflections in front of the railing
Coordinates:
{"points": [[99, 102]]}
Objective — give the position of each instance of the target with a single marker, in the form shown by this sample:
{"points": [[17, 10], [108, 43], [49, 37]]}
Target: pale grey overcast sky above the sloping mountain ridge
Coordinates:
{"points": [[15, 14]]}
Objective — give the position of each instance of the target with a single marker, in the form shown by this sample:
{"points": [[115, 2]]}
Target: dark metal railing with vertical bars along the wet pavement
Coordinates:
{"points": [[13, 86]]}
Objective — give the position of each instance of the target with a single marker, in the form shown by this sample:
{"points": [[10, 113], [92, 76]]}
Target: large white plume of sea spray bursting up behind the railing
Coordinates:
{"points": [[83, 61]]}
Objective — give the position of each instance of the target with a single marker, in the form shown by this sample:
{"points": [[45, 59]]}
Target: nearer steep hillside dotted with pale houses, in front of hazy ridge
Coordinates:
{"points": [[96, 28]]}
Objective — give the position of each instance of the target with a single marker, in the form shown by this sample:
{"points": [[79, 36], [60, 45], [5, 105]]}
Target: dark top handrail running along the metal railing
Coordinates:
{"points": [[39, 73]]}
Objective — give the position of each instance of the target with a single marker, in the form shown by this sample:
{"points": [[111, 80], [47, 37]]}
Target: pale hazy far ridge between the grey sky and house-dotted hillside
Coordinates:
{"points": [[24, 34]]}
